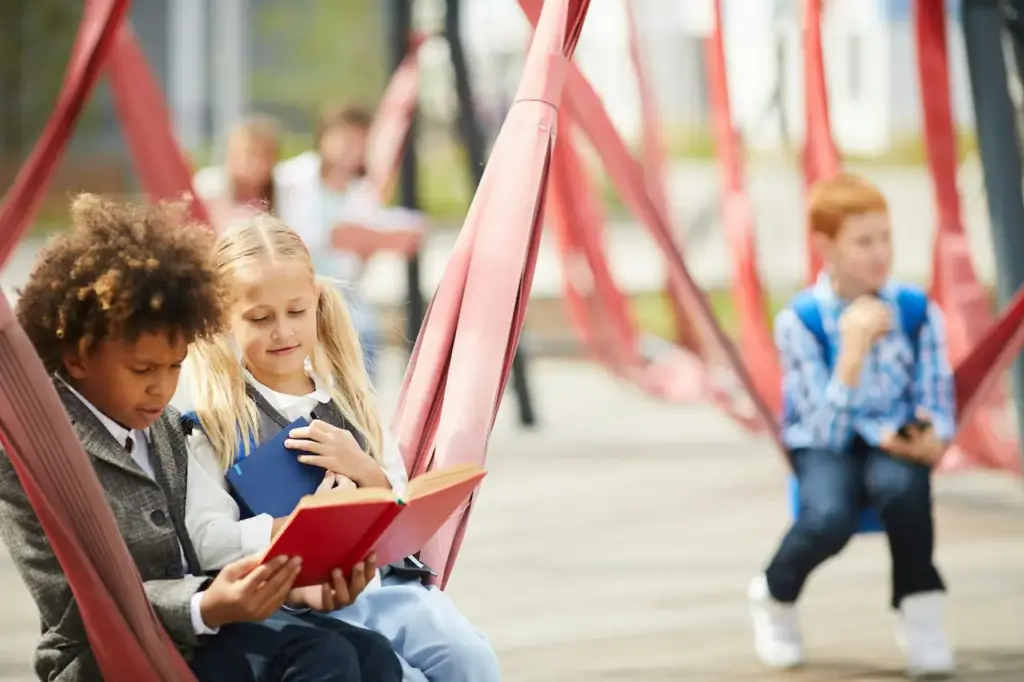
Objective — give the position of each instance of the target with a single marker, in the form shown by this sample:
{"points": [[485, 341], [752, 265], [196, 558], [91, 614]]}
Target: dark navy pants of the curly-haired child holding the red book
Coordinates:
{"points": [[291, 648]]}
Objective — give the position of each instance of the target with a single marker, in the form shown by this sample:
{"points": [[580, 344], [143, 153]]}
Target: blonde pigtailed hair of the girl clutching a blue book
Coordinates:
{"points": [[228, 415]]}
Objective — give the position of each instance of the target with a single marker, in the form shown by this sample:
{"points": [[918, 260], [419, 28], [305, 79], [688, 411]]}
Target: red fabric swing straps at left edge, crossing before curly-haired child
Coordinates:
{"points": [[127, 640]]}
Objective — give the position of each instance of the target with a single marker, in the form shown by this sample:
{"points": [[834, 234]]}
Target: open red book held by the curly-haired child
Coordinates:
{"points": [[340, 529]]}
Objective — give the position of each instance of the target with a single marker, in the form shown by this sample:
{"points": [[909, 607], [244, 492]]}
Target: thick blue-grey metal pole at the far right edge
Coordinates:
{"points": [[999, 144]]}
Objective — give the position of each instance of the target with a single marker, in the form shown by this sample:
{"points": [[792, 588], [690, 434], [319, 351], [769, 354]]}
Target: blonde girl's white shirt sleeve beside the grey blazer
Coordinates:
{"points": [[212, 516]]}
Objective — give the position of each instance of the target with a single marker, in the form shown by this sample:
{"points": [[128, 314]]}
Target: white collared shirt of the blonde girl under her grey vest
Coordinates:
{"points": [[212, 515]]}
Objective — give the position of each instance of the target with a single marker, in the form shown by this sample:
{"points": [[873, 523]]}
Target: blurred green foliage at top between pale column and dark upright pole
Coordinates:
{"points": [[312, 52]]}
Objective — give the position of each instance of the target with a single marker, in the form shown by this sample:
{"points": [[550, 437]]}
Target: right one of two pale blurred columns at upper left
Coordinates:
{"points": [[230, 57]]}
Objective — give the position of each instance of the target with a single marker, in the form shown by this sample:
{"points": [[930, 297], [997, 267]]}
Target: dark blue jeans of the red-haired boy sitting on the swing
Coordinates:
{"points": [[834, 487]]}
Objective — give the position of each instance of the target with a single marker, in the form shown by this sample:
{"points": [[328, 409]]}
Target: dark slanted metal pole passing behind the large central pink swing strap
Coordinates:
{"points": [[473, 137]]}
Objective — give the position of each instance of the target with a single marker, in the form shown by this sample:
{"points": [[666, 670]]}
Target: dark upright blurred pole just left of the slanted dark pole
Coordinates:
{"points": [[400, 28]]}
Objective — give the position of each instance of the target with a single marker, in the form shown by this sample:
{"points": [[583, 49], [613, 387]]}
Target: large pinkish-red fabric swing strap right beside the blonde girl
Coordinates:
{"points": [[461, 362]]}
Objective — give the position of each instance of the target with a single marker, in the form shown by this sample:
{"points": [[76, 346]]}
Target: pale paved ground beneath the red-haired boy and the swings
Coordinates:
{"points": [[616, 542]]}
